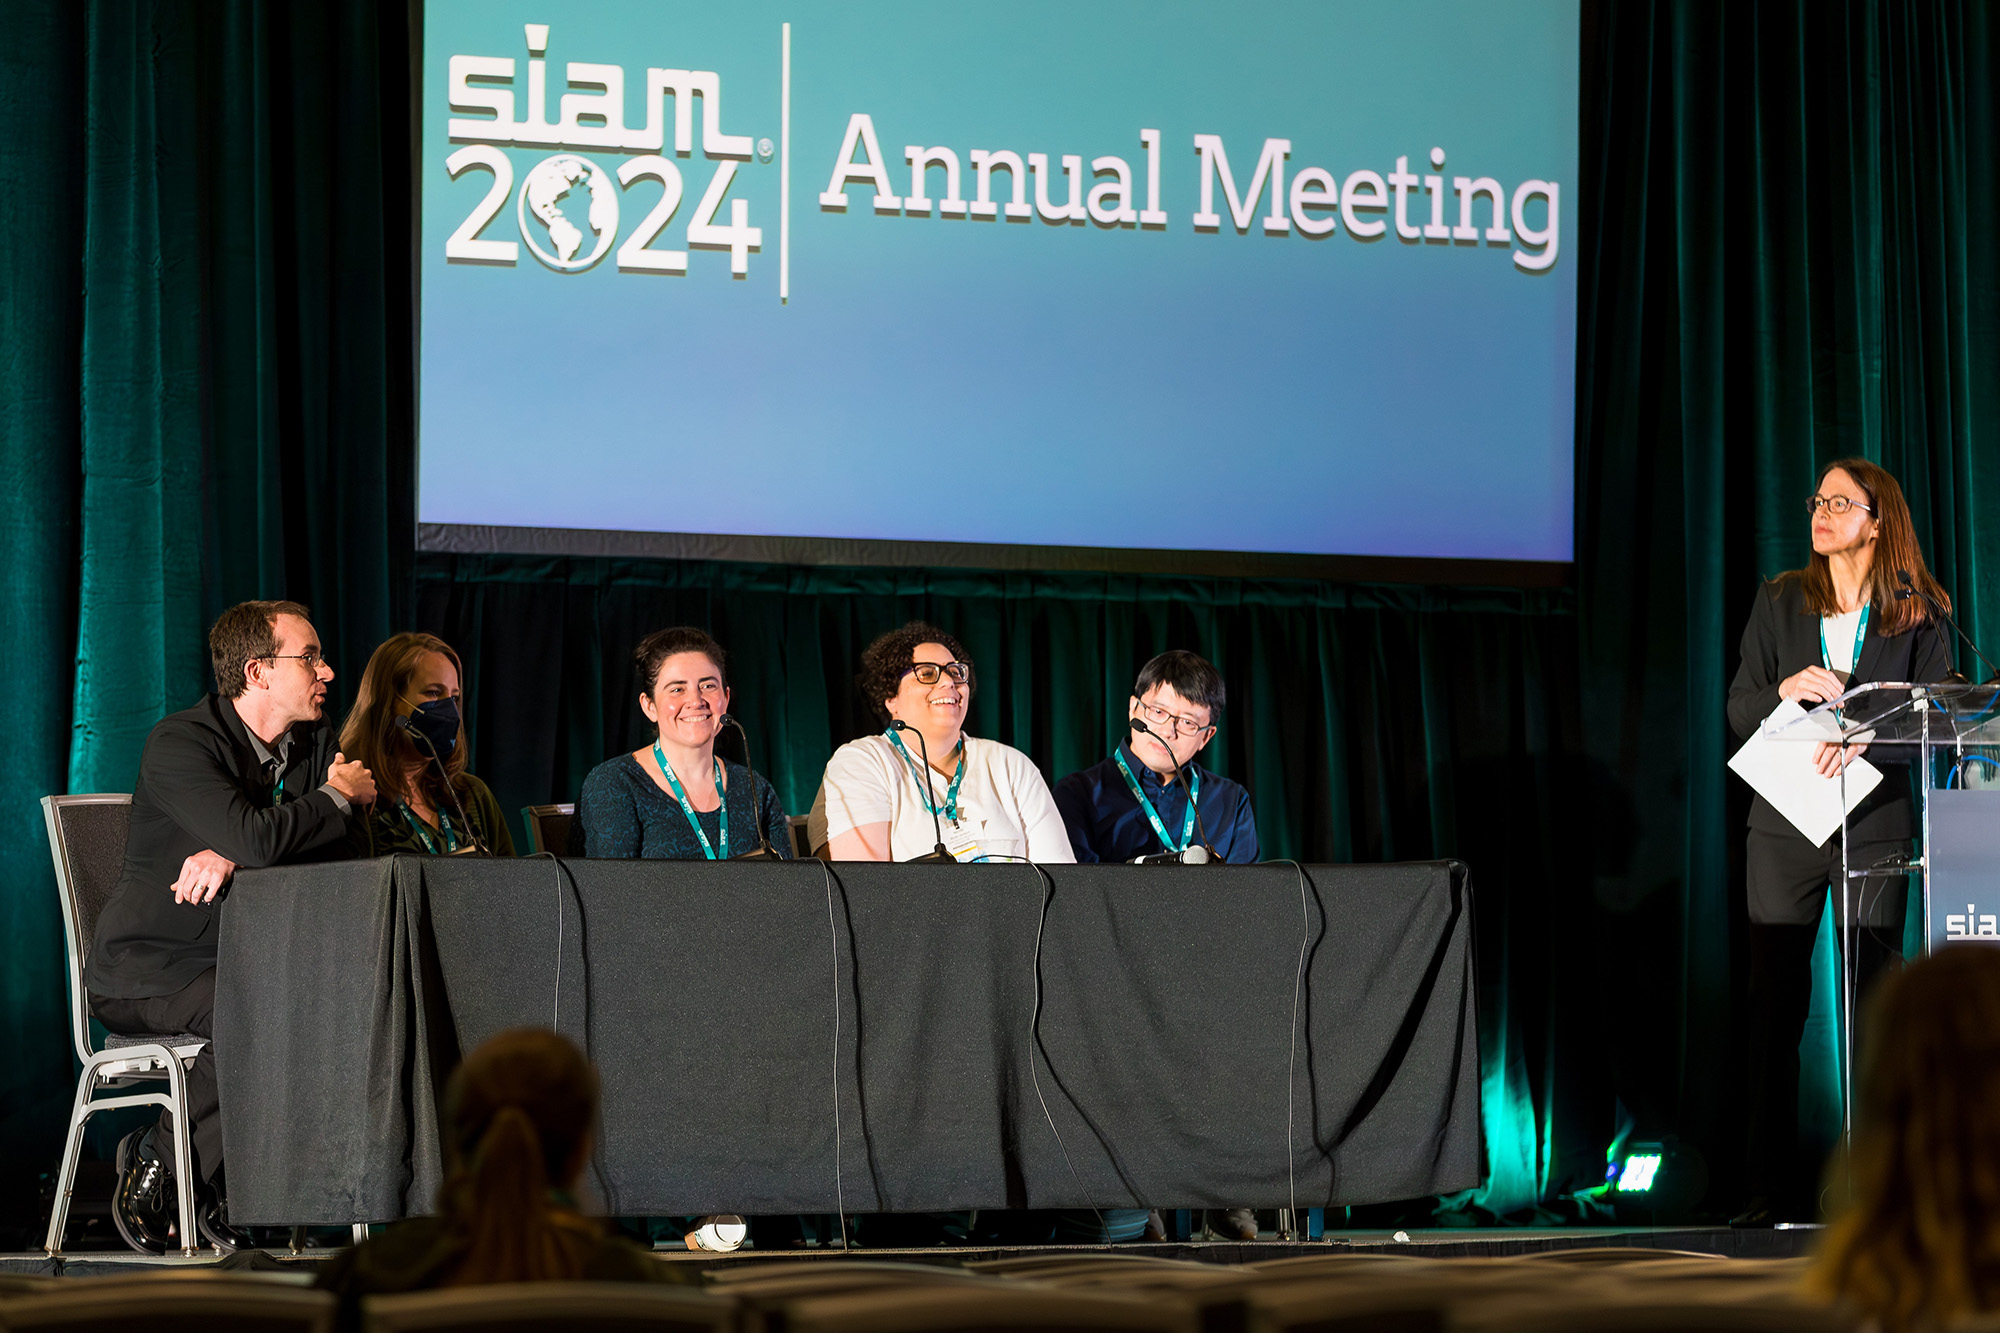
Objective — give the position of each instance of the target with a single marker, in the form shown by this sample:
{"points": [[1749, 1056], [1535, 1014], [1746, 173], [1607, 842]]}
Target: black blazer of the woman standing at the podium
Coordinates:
{"points": [[1781, 641]]}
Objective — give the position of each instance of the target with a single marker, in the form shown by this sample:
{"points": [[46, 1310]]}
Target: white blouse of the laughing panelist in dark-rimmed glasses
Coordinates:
{"points": [[1003, 806]]}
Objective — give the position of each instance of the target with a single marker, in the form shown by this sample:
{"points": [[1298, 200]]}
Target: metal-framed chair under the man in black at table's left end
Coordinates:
{"points": [[87, 838]]}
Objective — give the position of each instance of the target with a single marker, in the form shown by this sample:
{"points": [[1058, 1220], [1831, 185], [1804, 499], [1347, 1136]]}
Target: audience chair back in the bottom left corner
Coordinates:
{"points": [[171, 1304]]}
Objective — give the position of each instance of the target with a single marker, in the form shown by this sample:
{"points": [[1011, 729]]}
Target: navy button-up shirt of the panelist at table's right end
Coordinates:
{"points": [[1109, 826]]}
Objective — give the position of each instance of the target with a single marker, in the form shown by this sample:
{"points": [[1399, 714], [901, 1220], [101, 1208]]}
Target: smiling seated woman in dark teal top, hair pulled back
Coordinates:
{"points": [[673, 800]]}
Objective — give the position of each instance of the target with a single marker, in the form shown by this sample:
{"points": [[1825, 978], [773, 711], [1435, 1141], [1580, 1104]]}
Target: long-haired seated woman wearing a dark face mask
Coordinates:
{"points": [[407, 722]]}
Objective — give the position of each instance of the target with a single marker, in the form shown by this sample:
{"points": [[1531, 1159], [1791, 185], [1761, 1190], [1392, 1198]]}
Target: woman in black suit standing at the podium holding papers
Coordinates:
{"points": [[1815, 633]]}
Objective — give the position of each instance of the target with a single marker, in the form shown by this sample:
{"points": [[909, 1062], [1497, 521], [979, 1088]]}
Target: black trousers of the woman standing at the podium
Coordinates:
{"points": [[1791, 876]]}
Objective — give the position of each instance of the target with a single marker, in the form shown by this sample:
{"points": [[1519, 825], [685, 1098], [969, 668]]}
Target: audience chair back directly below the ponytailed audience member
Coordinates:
{"points": [[537, 1308]]}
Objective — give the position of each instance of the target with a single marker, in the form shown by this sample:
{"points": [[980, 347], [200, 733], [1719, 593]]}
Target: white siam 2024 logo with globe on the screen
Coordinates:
{"points": [[591, 117]]}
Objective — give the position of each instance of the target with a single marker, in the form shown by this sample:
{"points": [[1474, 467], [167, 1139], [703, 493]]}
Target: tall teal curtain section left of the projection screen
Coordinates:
{"points": [[205, 395]]}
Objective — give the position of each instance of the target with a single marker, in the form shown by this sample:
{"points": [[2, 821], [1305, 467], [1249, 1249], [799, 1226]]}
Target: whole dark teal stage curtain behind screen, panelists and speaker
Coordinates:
{"points": [[1785, 255]]}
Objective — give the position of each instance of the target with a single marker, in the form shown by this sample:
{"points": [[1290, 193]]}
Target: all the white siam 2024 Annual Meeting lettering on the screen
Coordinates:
{"points": [[569, 205]]}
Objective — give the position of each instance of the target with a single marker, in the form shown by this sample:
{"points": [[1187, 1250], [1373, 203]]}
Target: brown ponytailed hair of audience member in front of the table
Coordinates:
{"points": [[521, 1112]]}
